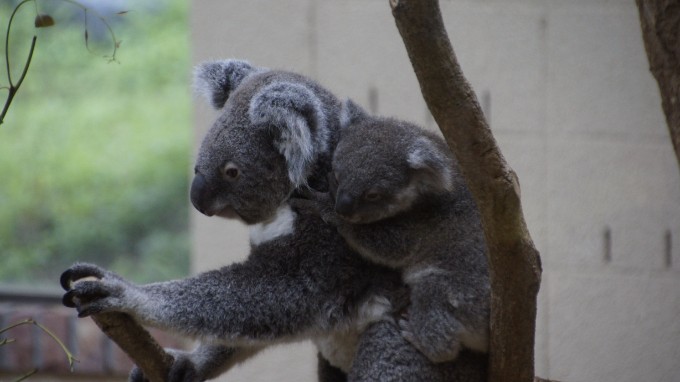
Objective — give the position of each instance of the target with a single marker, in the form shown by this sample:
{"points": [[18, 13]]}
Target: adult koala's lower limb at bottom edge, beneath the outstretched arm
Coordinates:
{"points": [[205, 362]]}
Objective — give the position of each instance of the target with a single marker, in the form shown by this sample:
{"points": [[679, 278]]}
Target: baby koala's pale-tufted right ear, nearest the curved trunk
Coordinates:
{"points": [[431, 165]]}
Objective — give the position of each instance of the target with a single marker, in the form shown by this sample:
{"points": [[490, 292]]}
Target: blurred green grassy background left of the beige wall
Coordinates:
{"points": [[94, 155]]}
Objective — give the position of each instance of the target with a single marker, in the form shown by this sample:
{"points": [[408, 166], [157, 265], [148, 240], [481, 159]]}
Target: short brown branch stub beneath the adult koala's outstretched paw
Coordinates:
{"points": [[137, 343]]}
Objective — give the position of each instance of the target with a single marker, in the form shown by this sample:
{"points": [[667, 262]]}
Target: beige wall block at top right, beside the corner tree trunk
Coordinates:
{"points": [[598, 73]]}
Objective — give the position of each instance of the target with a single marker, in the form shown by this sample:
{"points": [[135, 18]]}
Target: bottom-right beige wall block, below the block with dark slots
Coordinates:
{"points": [[612, 327]]}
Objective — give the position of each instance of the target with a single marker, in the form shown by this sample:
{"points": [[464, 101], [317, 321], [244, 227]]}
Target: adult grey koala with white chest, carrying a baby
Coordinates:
{"points": [[275, 134]]}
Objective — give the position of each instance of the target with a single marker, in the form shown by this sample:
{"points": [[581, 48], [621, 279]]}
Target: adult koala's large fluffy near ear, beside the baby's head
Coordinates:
{"points": [[297, 115]]}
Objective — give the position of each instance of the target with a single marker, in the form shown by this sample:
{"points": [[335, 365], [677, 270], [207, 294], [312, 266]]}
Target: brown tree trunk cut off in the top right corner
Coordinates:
{"points": [[660, 22]]}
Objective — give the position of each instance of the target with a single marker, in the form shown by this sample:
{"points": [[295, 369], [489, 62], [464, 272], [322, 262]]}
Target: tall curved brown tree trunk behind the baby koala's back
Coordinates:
{"points": [[514, 262]]}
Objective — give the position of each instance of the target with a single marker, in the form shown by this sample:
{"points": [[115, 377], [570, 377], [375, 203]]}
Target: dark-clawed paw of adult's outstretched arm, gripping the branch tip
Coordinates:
{"points": [[91, 289]]}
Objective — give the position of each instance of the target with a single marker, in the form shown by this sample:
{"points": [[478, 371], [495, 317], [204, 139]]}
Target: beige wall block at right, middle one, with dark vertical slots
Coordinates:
{"points": [[630, 187]]}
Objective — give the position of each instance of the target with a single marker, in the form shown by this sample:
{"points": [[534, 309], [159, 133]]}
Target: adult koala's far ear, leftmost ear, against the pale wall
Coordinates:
{"points": [[215, 80]]}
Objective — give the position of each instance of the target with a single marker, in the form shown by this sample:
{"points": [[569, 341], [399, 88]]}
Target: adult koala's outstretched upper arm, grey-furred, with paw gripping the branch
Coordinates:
{"points": [[242, 304]]}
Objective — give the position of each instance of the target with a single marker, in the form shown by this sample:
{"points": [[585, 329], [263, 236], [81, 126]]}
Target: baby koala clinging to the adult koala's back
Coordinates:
{"points": [[399, 200]]}
